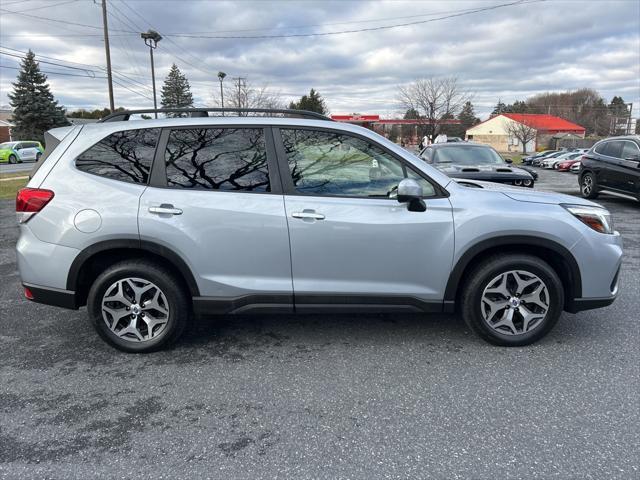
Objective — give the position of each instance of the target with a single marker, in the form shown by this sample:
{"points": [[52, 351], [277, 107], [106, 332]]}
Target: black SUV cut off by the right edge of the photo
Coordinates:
{"points": [[612, 165]]}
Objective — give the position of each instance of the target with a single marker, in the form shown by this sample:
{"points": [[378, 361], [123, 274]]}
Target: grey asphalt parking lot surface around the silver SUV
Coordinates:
{"points": [[353, 396]]}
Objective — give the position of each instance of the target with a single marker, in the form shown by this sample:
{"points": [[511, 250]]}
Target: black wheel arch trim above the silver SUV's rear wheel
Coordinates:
{"points": [[92, 260]]}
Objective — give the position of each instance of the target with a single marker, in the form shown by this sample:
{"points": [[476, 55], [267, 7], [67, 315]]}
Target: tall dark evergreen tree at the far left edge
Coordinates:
{"points": [[34, 109]]}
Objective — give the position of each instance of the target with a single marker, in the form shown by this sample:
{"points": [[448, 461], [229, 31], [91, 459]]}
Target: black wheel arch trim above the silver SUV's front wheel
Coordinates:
{"points": [[556, 255]]}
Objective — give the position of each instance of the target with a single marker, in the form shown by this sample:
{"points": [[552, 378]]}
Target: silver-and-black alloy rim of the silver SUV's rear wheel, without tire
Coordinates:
{"points": [[135, 309]]}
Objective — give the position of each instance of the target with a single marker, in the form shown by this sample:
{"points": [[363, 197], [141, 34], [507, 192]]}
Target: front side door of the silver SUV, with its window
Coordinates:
{"points": [[352, 243]]}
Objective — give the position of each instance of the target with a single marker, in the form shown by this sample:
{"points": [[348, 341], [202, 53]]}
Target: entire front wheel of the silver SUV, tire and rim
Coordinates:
{"points": [[512, 300]]}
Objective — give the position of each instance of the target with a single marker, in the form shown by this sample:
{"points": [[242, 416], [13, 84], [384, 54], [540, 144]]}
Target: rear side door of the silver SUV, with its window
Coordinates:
{"points": [[215, 200]]}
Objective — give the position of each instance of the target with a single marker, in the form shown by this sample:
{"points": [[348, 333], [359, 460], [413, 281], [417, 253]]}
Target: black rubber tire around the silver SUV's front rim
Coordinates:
{"points": [[484, 273]]}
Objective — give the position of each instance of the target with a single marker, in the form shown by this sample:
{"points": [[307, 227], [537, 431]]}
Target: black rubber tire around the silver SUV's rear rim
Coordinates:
{"points": [[177, 299]]}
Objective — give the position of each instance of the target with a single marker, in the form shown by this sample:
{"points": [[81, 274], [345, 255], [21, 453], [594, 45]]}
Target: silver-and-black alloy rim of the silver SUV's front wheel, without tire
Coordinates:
{"points": [[515, 302]]}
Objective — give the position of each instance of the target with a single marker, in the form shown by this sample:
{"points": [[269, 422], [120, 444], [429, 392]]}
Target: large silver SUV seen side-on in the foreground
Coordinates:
{"points": [[150, 222]]}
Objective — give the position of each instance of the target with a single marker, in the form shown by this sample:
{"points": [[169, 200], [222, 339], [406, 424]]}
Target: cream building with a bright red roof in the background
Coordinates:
{"points": [[495, 131]]}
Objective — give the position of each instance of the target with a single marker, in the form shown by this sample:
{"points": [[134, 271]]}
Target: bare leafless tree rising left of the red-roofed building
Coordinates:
{"points": [[435, 100]]}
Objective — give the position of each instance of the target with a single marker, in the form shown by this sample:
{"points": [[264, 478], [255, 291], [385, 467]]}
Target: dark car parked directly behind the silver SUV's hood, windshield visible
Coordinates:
{"points": [[475, 161]]}
